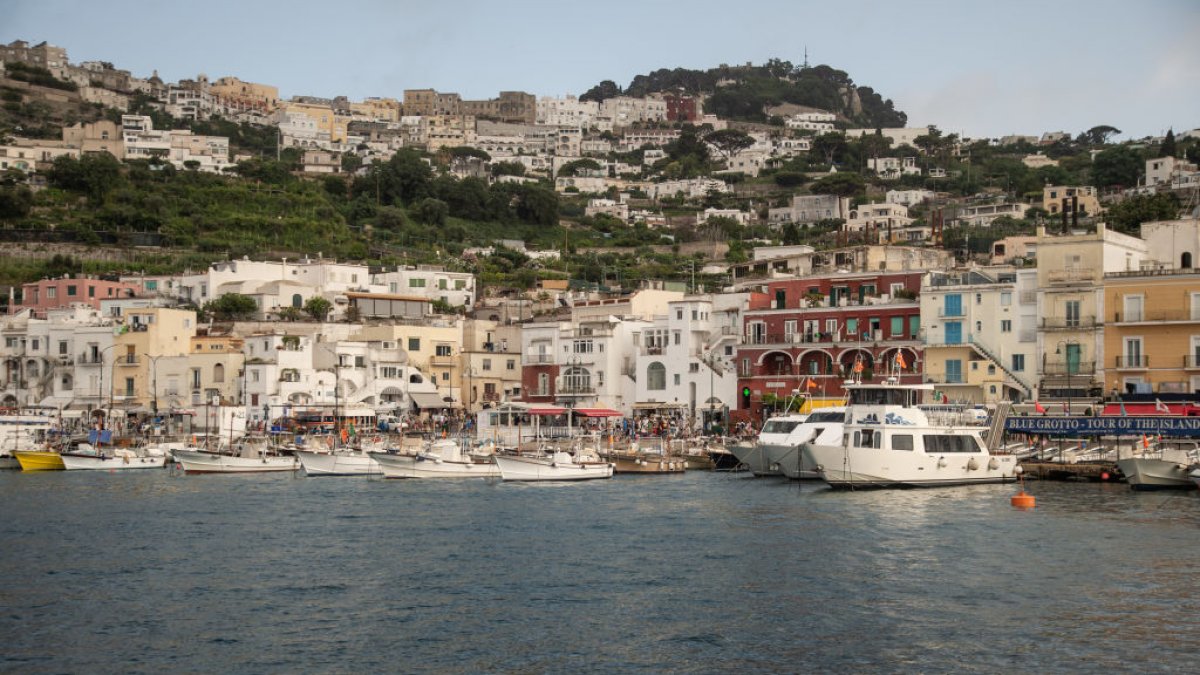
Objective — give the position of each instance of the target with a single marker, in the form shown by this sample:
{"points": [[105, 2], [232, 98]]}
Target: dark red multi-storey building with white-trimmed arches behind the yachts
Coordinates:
{"points": [[817, 331]]}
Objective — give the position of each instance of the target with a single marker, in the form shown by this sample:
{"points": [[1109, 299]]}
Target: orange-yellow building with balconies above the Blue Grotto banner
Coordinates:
{"points": [[1153, 332]]}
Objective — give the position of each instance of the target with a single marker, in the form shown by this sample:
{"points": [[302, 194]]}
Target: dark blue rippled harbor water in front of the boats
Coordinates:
{"points": [[154, 572]]}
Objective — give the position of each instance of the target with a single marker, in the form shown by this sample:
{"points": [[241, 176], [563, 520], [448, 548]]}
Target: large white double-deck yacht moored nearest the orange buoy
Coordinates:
{"points": [[890, 441]]}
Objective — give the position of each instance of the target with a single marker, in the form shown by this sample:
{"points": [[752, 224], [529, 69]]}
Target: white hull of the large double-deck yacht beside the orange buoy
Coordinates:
{"points": [[872, 468]]}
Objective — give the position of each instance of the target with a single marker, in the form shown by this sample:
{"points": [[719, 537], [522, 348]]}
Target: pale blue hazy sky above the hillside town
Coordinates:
{"points": [[970, 68]]}
